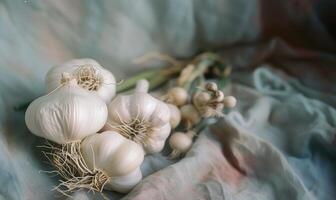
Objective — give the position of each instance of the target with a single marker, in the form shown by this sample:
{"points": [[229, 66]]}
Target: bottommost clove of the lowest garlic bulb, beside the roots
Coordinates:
{"points": [[125, 183]]}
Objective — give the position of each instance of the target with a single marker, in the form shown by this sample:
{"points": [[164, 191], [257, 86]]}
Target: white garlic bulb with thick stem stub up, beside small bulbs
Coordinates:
{"points": [[140, 117]]}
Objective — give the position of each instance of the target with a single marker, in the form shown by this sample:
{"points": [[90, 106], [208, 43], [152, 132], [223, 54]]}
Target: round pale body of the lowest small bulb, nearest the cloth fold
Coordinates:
{"points": [[180, 141]]}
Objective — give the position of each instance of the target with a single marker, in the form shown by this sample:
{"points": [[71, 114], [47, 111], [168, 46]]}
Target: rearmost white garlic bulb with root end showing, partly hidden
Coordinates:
{"points": [[89, 75]]}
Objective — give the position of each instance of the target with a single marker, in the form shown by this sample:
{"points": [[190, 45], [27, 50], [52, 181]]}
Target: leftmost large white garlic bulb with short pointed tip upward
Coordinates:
{"points": [[67, 114]]}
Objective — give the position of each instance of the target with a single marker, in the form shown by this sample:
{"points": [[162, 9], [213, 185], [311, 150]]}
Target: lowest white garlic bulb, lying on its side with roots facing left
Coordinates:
{"points": [[117, 157]]}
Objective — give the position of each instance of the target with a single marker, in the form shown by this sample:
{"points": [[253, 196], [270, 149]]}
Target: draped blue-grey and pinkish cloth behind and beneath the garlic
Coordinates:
{"points": [[279, 143]]}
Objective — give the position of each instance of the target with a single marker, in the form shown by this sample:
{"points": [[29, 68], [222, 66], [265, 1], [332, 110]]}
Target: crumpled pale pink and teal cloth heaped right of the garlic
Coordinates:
{"points": [[277, 144]]}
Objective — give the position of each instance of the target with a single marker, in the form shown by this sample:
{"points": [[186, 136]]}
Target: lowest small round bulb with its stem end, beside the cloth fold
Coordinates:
{"points": [[180, 142]]}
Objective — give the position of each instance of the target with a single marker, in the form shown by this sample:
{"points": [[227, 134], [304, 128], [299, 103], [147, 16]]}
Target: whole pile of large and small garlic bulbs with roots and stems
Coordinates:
{"points": [[81, 104]]}
